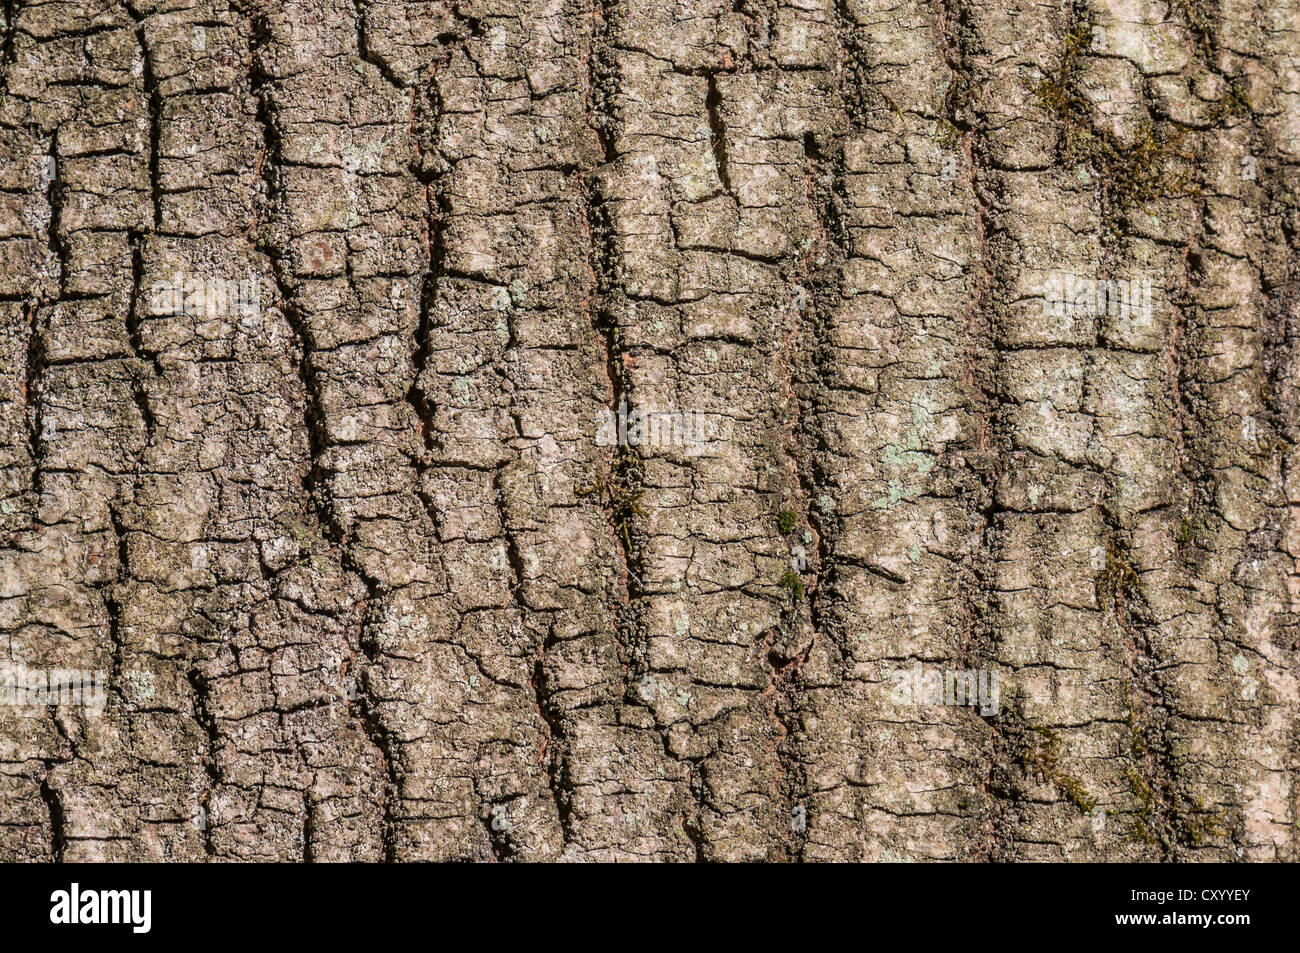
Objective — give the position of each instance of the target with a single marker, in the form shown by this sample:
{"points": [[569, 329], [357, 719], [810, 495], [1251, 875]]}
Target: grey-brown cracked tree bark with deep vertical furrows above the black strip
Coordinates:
{"points": [[366, 584]]}
